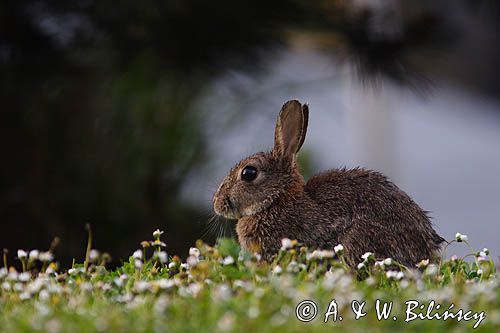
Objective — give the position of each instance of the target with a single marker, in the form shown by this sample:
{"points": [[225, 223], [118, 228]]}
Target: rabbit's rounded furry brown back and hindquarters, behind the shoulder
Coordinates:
{"points": [[372, 214]]}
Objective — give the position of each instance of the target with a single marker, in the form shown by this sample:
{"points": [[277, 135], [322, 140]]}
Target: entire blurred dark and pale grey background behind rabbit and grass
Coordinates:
{"points": [[126, 115]]}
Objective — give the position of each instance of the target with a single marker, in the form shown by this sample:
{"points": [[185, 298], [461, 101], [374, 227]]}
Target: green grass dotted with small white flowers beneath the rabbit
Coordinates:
{"points": [[224, 289]]}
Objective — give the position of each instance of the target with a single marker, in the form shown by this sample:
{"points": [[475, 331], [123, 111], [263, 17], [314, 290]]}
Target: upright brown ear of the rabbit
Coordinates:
{"points": [[291, 128]]}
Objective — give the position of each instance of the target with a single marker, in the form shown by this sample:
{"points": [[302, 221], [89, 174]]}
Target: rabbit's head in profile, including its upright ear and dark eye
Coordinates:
{"points": [[254, 184]]}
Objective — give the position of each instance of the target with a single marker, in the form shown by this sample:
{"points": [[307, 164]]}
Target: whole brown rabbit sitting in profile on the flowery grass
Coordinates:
{"points": [[358, 208]]}
